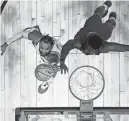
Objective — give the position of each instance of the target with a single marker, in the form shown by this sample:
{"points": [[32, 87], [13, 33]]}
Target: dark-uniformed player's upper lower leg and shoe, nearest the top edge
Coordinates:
{"points": [[102, 10]]}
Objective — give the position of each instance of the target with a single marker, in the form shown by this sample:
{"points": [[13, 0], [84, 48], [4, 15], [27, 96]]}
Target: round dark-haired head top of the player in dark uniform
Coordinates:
{"points": [[95, 41]]}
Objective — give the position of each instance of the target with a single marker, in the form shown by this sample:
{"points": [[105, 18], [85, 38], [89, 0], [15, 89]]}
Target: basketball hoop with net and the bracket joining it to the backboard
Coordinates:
{"points": [[86, 83]]}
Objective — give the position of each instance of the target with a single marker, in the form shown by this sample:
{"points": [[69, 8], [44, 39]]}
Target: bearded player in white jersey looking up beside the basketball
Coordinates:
{"points": [[47, 47]]}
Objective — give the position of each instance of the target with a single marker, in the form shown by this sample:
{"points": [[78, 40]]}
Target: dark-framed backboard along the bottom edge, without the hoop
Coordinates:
{"points": [[72, 114]]}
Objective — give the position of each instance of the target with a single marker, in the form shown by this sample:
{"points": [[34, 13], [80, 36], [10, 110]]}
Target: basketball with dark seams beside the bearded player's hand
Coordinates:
{"points": [[44, 72]]}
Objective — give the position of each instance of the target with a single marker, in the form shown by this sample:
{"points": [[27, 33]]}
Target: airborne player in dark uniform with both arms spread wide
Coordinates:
{"points": [[92, 38]]}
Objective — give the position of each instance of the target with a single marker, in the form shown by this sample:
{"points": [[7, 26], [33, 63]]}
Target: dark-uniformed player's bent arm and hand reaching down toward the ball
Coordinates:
{"points": [[64, 52]]}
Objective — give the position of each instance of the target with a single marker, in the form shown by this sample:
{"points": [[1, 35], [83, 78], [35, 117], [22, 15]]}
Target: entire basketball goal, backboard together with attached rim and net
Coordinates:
{"points": [[86, 111]]}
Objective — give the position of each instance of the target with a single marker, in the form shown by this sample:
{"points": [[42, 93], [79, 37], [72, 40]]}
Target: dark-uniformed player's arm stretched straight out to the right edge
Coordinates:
{"points": [[114, 47]]}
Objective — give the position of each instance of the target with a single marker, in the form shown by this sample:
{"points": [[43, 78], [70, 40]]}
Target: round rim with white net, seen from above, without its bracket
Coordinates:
{"points": [[86, 83]]}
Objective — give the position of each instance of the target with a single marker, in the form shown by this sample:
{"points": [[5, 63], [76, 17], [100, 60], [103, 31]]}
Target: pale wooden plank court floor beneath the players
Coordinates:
{"points": [[62, 20]]}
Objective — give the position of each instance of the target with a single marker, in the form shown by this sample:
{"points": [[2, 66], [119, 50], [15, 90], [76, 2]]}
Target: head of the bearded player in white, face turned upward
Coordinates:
{"points": [[46, 44]]}
